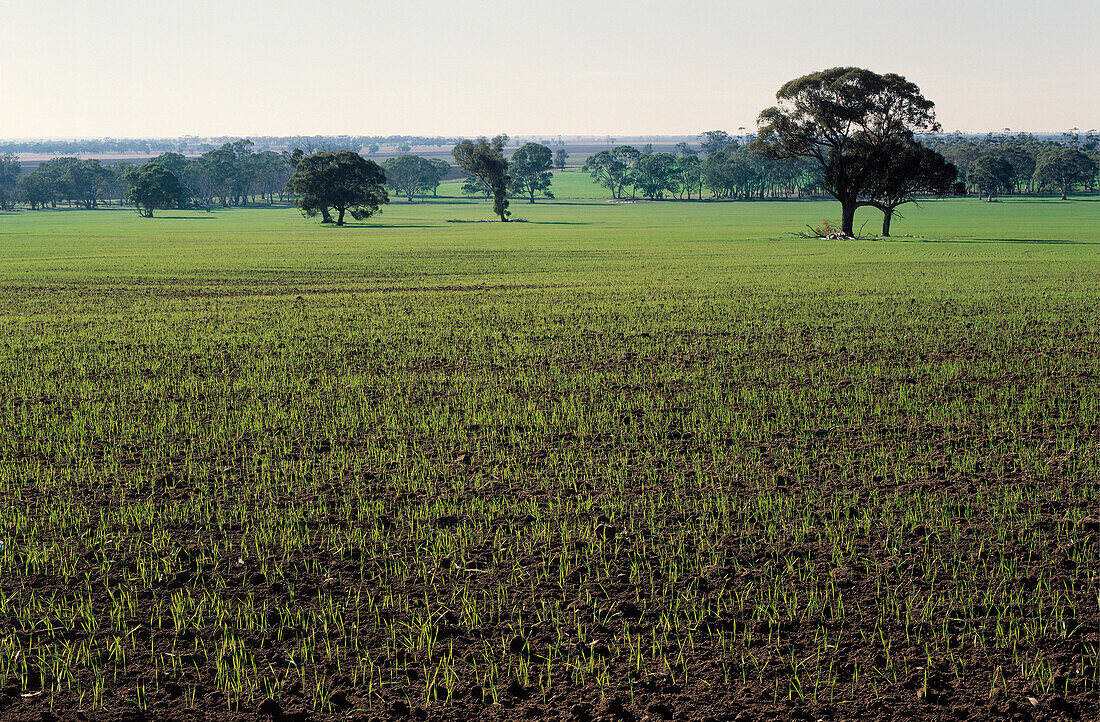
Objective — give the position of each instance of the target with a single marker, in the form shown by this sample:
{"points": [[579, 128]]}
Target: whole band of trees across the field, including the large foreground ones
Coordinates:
{"points": [[845, 133]]}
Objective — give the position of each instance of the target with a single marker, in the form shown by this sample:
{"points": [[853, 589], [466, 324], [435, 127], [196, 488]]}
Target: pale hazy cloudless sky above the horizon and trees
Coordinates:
{"points": [[241, 68]]}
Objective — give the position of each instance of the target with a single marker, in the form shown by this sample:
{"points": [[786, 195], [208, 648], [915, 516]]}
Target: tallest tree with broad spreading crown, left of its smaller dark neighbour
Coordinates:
{"points": [[844, 118]]}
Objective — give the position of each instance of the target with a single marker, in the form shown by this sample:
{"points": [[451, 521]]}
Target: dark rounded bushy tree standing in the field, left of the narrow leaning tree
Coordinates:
{"points": [[345, 182]]}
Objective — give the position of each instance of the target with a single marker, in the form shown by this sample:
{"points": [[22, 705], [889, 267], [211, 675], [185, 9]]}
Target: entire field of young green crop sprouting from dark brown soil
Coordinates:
{"points": [[630, 462]]}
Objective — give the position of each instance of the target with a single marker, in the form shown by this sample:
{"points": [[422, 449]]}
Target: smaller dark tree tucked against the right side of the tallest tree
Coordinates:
{"points": [[909, 169]]}
